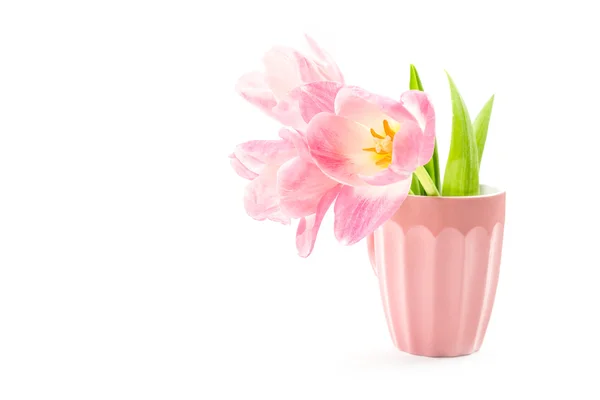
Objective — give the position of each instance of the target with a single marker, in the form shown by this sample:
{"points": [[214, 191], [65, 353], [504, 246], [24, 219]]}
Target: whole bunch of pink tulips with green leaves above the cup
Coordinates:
{"points": [[343, 146]]}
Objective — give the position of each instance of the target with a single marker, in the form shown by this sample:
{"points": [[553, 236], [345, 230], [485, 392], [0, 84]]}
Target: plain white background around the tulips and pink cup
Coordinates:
{"points": [[129, 270]]}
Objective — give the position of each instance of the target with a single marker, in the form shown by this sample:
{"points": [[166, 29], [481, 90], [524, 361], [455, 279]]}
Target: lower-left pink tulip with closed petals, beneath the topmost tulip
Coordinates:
{"points": [[277, 168]]}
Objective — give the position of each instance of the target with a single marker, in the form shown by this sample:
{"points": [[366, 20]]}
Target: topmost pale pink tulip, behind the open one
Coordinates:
{"points": [[285, 70]]}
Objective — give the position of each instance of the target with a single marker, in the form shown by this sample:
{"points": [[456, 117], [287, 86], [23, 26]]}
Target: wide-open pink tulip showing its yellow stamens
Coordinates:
{"points": [[371, 145]]}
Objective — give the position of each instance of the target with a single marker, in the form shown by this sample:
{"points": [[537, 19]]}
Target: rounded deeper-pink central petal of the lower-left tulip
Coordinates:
{"points": [[300, 186]]}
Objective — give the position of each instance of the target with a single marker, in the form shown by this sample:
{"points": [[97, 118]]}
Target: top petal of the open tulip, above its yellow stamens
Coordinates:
{"points": [[369, 109]]}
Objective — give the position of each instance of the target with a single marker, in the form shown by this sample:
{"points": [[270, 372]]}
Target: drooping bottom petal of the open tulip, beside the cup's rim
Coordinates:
{"points": [[361, 210]]}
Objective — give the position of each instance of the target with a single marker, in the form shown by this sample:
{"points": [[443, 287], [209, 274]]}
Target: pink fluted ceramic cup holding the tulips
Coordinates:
{"points": [[437, 260]]}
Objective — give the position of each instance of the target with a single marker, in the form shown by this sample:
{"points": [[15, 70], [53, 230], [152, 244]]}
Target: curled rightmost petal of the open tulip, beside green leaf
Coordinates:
{"points": [[420, 107]]}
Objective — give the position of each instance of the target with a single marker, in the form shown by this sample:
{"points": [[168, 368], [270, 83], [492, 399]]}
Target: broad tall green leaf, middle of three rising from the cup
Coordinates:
{"points": [[462, 170]]}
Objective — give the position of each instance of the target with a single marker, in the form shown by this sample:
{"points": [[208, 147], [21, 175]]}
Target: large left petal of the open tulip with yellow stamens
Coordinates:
{"points": [[337, 147]]}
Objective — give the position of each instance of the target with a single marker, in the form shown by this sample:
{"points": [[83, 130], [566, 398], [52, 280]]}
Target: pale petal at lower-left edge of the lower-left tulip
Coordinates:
{"points": [[261, 200]]}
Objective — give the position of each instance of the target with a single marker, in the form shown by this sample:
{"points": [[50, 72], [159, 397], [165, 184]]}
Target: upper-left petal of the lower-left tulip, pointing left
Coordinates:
{"points": [[255, 154]]}
